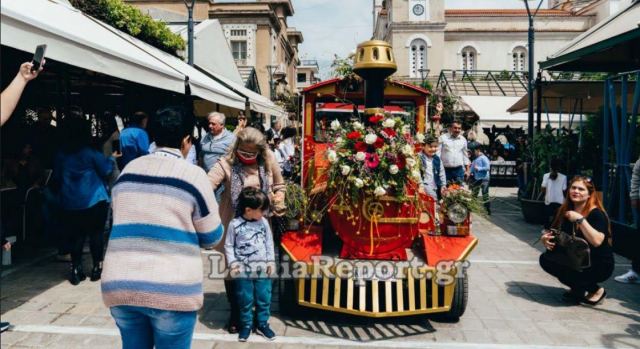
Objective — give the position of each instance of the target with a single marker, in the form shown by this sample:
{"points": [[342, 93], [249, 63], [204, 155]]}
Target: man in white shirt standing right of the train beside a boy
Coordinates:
{"points": [[454, 154]]}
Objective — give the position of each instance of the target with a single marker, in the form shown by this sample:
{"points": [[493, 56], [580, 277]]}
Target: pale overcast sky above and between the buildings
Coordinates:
{"points": [[337, 26]]}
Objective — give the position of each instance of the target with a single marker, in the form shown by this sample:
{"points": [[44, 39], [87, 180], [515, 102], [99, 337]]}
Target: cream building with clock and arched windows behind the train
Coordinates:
{"points": [[428, 38]]}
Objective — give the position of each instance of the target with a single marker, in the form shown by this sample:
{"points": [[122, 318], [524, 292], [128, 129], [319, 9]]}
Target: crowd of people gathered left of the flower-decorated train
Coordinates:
{"points": [[164, 194]]}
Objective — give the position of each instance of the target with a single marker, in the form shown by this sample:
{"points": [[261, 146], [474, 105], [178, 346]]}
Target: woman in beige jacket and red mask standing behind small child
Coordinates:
{"points": [[250, 163]]}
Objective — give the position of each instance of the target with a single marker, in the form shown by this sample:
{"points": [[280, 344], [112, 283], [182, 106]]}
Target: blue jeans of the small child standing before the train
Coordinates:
{"points": [[250, 292]]}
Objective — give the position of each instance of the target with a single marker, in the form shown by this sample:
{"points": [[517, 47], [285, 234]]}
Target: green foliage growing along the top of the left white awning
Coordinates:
{"points": [[131, 21]]}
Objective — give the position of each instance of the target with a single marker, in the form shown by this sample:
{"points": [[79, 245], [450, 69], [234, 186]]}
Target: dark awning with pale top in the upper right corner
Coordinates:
{"points": [[612, 45]]}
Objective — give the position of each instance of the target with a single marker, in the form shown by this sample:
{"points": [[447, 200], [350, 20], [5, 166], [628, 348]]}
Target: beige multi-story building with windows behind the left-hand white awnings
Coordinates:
{"points": [[264, 47]]}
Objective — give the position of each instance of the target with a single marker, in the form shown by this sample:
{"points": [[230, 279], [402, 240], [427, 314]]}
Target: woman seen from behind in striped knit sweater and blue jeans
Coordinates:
{"points": [[164, 211]]}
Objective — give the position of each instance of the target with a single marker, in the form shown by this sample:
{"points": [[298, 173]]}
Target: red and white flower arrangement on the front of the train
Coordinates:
{"points": [[376, 159]]}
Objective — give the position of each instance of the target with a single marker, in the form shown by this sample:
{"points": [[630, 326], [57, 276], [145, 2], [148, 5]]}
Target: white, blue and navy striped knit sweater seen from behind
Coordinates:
{"points": [[163, 212]]}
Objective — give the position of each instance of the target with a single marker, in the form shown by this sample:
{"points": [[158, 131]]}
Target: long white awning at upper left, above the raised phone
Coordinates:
{"points": [[79, 40]]}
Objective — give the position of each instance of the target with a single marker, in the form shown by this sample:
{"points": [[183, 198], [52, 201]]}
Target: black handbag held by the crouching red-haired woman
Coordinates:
{"points": [[570, 251]]}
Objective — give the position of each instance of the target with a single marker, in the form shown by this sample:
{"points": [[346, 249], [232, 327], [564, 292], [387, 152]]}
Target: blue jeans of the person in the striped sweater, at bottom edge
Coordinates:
{"points": [[142, 327]]}
